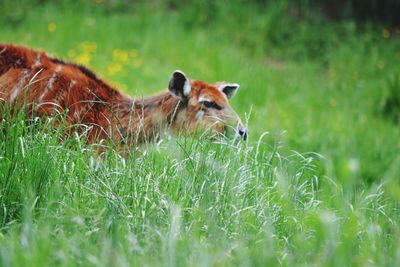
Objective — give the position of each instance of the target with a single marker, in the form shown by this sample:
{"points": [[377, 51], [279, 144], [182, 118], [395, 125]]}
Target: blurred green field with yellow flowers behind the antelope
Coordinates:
{"points": [[318, 76]]}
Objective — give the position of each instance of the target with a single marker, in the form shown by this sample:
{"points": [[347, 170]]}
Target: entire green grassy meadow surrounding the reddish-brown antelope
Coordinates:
{"points": [[316, 184]]}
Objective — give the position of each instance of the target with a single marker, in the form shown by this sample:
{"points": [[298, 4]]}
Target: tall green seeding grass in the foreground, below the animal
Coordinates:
{"points": [[181, 202]]}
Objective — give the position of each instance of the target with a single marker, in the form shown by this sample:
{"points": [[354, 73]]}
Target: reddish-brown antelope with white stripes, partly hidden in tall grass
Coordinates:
{"points": [[47, 86]]}
